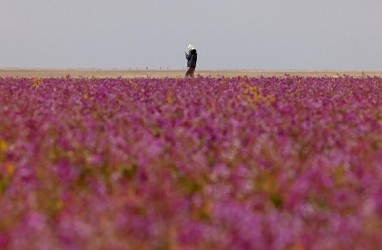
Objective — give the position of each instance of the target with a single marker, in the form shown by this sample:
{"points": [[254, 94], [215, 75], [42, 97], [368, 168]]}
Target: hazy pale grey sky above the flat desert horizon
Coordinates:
{"points": [[228, 34]]}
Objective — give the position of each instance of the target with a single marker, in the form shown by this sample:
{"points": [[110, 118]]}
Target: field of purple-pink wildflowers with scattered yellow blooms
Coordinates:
{"points": [[204, 163]]}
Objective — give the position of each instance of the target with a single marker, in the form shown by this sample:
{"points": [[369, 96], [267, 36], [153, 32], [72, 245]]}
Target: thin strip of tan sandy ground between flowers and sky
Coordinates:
{"points": [[100, 73]]}
